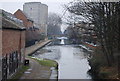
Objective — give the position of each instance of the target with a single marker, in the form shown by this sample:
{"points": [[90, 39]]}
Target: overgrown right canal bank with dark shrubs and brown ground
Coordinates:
{"points": [[99, 67]]}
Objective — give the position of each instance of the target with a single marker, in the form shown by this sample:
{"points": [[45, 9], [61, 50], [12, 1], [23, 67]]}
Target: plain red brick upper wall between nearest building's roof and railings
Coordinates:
{"points": [[11, 41]]}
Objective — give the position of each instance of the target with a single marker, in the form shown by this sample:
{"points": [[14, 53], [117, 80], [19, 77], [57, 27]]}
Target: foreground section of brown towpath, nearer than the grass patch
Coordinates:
{"points": [[36, 71]]}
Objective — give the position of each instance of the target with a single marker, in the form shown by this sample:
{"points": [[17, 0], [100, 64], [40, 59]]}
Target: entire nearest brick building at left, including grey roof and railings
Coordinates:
{"points": [[13, 44]]}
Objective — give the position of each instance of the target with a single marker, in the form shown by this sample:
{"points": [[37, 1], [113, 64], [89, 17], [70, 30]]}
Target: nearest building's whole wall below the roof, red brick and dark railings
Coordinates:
{"points": [[13, 51]]}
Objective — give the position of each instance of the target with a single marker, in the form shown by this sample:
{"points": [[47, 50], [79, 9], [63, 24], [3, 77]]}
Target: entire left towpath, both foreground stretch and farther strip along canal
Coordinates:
{"points": [[36, 71]]}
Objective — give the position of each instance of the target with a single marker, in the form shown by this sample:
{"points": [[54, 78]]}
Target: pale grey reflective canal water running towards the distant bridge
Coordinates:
{"points": [[72, 60]]}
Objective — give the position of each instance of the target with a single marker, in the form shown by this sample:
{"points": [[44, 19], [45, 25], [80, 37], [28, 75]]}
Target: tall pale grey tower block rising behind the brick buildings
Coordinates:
{"points": [[38, 12]]}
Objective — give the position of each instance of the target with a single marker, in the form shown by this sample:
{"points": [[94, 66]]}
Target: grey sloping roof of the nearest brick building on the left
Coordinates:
{"points": [[8, 23]]}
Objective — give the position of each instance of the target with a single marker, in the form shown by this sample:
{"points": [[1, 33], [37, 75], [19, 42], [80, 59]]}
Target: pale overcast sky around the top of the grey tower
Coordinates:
{"points": [[53, 5]]}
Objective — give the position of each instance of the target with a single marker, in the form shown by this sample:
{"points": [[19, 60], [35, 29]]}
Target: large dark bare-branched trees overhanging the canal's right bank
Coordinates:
{"points": [[105, 16]]}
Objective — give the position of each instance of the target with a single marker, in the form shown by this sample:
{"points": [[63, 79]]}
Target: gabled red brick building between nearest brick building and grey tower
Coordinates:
{"points": [[32, 33]]}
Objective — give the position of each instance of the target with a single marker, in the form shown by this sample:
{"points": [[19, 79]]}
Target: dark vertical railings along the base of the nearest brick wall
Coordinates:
{"points": [[10, 64]]}
